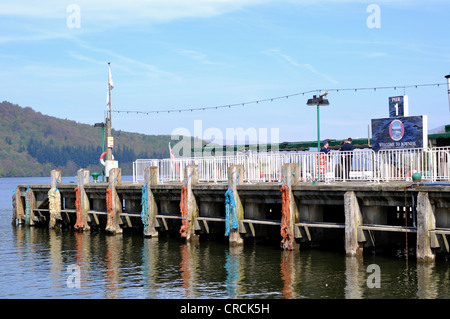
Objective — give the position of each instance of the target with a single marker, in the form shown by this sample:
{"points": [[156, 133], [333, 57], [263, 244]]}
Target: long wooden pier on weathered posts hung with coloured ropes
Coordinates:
{"points": [[361, 213]]}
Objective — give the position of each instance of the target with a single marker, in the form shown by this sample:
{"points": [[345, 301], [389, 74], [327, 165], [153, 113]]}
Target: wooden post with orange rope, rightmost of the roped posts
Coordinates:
{"points": [[290, 214]]}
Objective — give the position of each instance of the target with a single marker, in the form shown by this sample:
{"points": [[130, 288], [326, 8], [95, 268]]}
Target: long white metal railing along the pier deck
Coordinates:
{"points": [[360, 164]]}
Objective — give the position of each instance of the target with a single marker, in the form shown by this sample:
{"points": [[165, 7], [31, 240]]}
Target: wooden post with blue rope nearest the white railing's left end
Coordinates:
{"points": [[150, 179]]}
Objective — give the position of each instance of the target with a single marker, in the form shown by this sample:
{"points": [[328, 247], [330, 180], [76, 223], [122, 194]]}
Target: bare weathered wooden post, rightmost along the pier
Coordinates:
{"points": [[425, 222]]}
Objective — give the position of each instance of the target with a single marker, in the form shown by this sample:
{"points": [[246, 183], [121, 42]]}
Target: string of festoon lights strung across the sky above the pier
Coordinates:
{"points": [[318, 91]]}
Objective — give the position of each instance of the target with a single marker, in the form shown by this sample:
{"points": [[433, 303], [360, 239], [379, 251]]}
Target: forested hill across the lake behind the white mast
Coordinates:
{"points": [[32, 144]]}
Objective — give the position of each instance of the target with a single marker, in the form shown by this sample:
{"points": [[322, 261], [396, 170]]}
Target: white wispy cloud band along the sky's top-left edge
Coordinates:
{"points": [[120, 12]]}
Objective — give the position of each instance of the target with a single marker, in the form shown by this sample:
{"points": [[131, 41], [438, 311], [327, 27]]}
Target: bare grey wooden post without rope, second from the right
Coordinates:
{"points": [[353, 220]]}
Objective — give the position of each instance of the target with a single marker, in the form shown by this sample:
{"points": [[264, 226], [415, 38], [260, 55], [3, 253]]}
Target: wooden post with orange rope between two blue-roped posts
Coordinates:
{"points": [[191, 179]]}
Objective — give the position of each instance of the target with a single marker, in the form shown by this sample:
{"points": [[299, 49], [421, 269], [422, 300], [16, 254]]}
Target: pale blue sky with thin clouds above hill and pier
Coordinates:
{"points": [[184, 54]]}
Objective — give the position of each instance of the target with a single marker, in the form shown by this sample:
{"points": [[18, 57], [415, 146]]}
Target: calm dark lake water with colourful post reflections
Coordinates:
{"points": [[43, 263]]}
